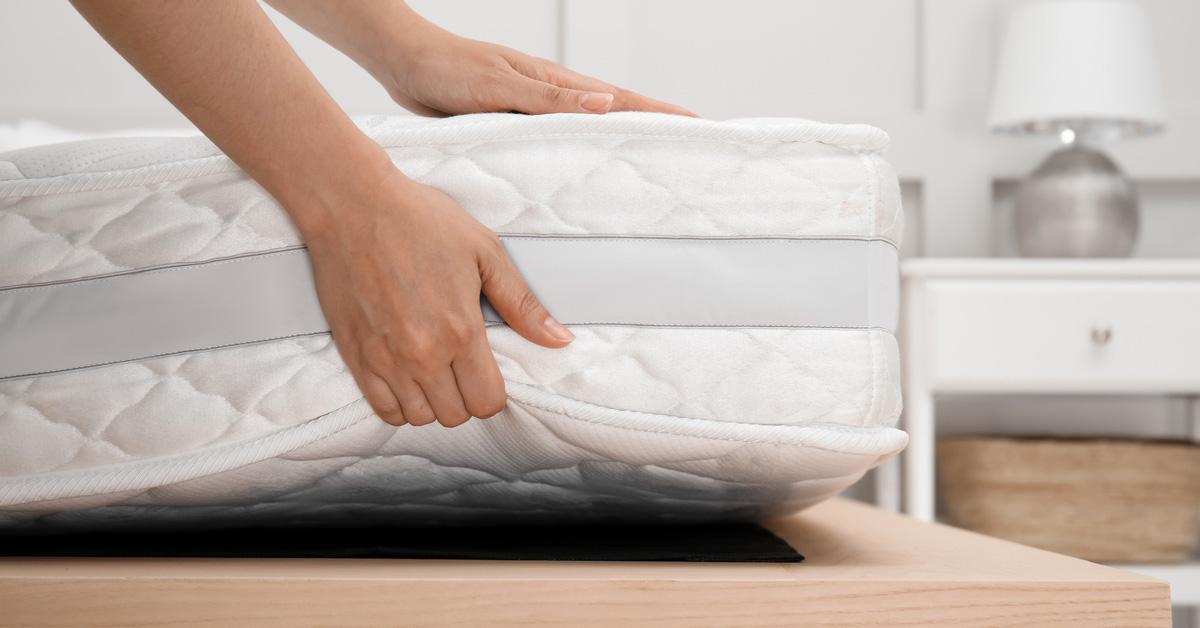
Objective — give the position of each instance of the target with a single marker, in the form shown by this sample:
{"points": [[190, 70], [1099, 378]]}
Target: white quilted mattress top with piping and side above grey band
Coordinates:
{"points": [[627, 174]]}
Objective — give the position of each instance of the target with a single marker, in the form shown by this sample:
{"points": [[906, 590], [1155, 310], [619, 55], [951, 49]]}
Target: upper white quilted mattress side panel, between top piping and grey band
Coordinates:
{"points": [[563, 187]]}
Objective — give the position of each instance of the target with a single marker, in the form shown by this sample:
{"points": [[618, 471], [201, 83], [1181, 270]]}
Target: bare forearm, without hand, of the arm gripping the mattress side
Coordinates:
{"points": [[229, 69]]}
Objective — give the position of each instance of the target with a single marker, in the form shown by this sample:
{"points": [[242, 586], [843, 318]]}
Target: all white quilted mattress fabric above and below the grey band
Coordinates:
{"points": [[627, 422]]}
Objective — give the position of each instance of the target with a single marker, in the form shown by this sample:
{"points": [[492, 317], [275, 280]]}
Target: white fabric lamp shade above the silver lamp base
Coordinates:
{"points": [[1085, 65]]}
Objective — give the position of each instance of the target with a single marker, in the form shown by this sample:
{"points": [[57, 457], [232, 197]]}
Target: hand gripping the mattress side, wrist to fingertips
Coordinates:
{"points": [[399, 273]]}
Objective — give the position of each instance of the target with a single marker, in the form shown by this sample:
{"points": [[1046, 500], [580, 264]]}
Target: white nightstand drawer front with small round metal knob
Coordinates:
{"points": [[1064, 336]]}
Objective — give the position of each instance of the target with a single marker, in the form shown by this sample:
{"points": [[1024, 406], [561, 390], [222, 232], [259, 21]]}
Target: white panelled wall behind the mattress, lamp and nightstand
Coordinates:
{"points": [[920, 69]]}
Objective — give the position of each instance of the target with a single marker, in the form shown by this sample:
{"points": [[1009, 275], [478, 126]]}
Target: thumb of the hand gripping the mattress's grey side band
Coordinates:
{"points": [[520, 308]]}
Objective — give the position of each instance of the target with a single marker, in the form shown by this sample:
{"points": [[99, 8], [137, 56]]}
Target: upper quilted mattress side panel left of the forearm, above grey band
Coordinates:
{"points": [[80, 235]]}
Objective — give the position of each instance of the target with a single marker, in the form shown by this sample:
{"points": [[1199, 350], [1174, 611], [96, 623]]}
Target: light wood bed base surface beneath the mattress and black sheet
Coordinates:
{"points": [[865, 569]]}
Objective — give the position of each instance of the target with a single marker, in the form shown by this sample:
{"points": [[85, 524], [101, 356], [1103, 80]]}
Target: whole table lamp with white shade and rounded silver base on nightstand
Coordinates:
{"points": [[1084, 71]]}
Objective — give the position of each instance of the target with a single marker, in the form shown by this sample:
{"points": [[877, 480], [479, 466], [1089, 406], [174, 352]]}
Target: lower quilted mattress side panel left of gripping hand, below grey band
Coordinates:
{"points": [[163, 406]]}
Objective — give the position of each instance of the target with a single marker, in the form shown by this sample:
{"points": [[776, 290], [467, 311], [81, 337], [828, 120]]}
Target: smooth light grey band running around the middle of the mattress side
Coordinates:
{"points": [[583, 280]]}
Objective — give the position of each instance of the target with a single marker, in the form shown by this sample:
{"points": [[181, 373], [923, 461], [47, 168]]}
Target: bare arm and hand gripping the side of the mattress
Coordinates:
{"points": [[399, 266]]}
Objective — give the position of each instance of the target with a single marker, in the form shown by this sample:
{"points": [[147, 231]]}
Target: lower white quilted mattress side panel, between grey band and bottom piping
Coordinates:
{"points": [[161, 406]]}
